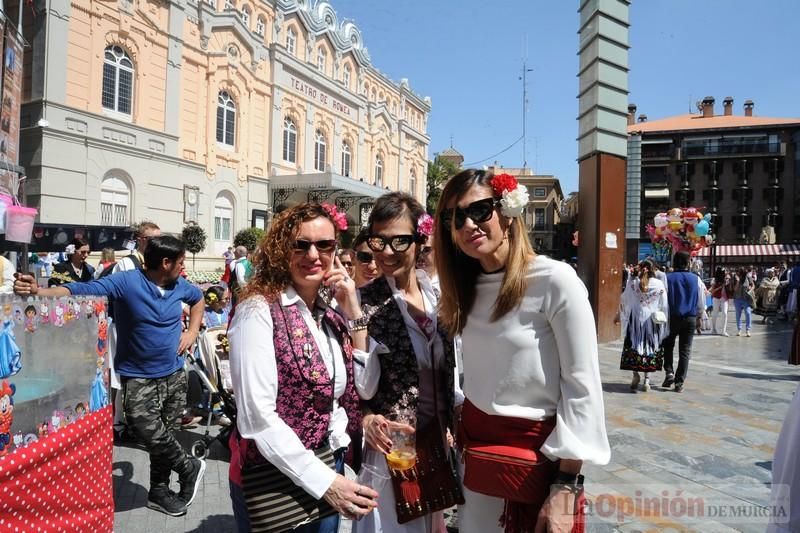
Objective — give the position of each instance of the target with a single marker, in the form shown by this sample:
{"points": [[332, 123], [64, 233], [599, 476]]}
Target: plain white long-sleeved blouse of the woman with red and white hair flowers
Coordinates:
{"points": [[540, 360]]}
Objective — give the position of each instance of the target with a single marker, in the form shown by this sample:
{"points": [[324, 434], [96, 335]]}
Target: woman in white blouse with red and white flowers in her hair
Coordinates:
{"points": [[531, 373]]}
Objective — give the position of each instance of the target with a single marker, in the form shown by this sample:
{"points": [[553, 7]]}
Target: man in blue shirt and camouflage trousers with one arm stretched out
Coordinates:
{"points": [[150, 342]]}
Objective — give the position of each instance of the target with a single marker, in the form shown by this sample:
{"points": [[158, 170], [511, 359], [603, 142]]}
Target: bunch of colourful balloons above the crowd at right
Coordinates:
{"points": [[679, 229]]}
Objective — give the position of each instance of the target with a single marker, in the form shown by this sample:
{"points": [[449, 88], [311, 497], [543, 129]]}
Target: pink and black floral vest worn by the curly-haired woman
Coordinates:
{"points": [[305, 389]]}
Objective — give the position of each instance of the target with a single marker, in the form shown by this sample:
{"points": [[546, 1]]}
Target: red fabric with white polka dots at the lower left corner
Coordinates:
{"points": [[61, 482]]}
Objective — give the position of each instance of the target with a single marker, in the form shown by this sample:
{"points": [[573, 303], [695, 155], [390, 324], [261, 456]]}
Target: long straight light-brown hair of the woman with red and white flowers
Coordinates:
{"points": [[458, 273]]}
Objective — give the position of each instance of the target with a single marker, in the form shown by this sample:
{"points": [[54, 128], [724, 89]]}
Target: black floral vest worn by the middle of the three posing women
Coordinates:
{"points": [[398, 387]]}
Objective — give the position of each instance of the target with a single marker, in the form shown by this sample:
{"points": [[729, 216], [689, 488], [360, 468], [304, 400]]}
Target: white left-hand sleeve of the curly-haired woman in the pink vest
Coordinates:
{"points": [[254, 375]]}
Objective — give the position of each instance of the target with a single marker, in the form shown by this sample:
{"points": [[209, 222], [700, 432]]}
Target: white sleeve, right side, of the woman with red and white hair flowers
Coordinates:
{"points": [[580, 431]]}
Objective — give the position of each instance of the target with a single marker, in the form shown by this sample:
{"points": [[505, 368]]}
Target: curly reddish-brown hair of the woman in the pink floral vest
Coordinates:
{"points": [[271, 274]]}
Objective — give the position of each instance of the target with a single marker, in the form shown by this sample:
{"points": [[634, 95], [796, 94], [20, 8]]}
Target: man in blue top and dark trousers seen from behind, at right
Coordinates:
{"points": [[686, 295]]}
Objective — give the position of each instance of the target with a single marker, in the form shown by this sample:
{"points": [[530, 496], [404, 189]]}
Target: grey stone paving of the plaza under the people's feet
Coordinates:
{"points": [[695, 461]]}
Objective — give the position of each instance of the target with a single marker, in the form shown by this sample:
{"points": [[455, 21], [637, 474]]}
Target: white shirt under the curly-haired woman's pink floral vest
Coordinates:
{"points": [[254, 375]]}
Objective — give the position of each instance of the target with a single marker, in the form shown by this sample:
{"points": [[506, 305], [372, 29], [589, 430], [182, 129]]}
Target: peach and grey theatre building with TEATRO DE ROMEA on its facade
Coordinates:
{"points": [[220, 113]]}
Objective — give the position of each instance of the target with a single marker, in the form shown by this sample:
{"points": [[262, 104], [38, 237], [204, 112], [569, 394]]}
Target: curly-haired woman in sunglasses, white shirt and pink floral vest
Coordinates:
{"points": [[291, 358]]}
